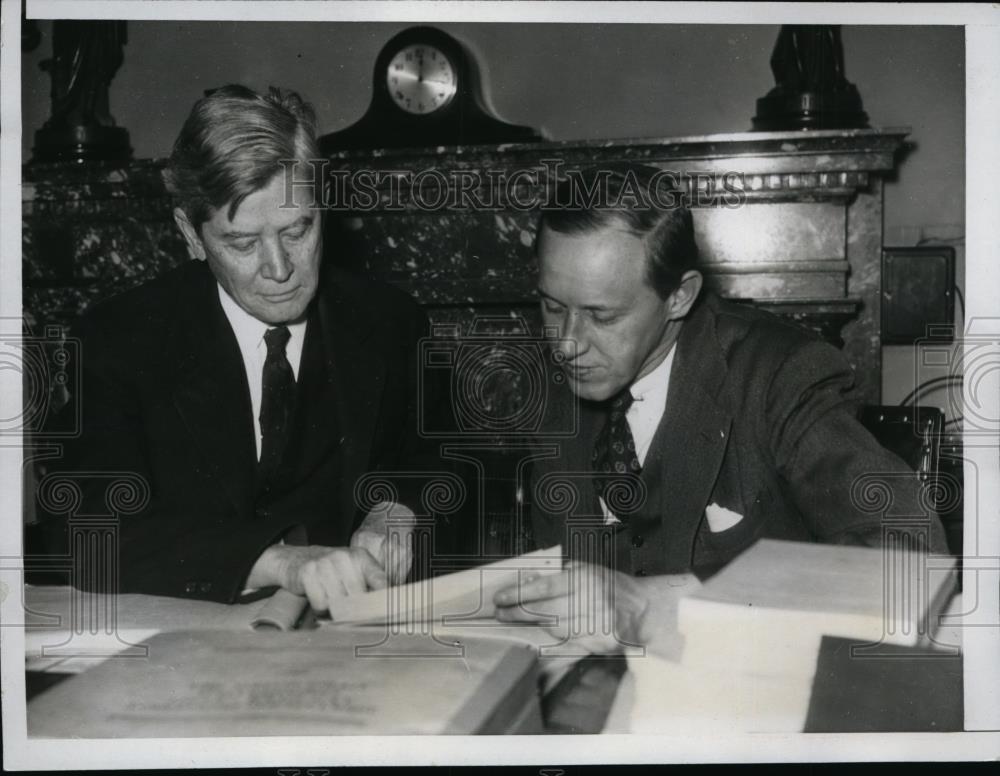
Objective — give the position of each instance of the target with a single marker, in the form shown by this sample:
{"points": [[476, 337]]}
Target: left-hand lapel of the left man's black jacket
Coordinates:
{"points": [[211, 392]]}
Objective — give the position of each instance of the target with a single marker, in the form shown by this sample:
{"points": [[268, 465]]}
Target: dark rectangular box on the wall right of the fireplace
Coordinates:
{"points": [[918, 292]]}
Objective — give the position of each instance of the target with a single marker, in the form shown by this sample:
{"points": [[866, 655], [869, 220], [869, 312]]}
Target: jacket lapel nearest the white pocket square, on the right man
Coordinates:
{"points": [[685, 473]]}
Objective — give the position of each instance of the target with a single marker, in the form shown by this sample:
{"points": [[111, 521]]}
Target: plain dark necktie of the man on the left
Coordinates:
{"points": [[277, 400]]}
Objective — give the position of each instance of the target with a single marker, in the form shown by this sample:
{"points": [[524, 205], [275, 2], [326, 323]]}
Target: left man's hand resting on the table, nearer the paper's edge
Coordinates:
{"points": [[322, 574]]}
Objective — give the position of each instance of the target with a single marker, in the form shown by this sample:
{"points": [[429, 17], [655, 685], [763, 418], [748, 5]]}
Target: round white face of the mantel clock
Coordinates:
{"points": [[421, 79]]}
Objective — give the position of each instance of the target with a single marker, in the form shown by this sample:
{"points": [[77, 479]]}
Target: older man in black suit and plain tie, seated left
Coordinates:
{"points": [[252, 387]]}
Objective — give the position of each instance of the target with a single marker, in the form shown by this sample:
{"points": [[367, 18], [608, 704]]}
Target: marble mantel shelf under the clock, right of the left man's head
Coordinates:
{"points": [[762, 167]]}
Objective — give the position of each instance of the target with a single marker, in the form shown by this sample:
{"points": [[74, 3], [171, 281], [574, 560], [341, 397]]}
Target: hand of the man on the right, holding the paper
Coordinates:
{"points": [[600, 610]]}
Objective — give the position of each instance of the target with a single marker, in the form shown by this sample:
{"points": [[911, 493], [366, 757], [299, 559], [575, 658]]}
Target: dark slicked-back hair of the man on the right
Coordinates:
{"points": [[637, 198]]}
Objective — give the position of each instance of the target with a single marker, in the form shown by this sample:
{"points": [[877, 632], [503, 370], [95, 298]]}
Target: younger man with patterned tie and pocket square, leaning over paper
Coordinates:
{"points": [[718, 424]]}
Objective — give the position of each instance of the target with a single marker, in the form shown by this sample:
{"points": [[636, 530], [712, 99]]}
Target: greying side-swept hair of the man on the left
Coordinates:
{"points": [[234, 143]]}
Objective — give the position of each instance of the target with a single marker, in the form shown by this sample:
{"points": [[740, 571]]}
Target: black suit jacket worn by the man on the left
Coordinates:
{"points": [[165, 397]]}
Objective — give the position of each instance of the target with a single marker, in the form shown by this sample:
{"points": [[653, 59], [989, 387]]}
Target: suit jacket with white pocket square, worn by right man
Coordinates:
{"points": [[758, 421]]}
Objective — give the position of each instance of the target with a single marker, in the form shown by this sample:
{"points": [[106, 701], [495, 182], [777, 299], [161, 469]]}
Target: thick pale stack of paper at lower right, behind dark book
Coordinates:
{"points": [[752, 633]]}
